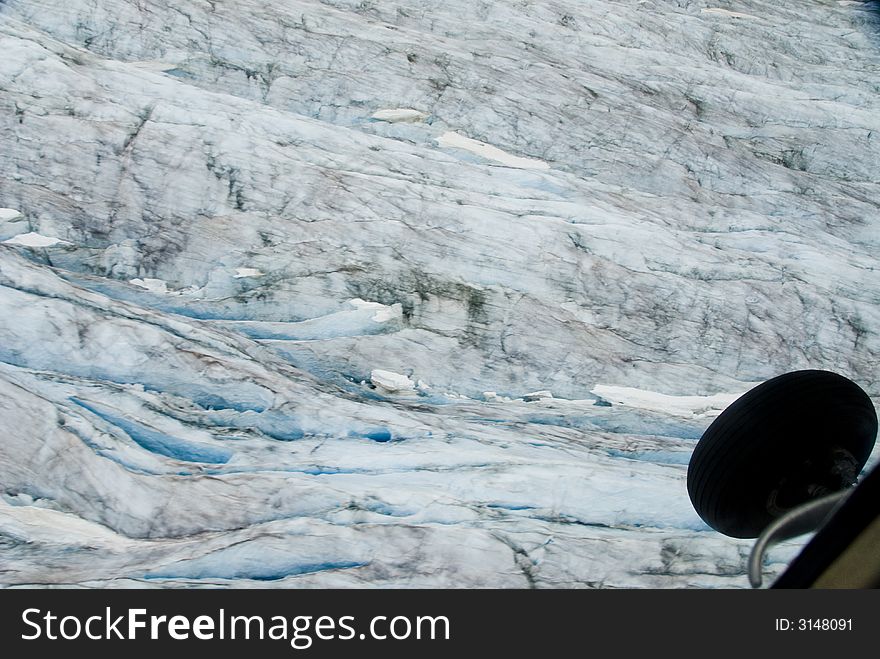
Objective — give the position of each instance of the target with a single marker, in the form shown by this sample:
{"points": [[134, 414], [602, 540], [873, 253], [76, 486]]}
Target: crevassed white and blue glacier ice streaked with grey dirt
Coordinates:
{"points": [[347, 293]]}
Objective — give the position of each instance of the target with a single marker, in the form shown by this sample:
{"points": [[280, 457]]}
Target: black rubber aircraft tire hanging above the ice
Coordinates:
{"points": [[790, 439]]}
